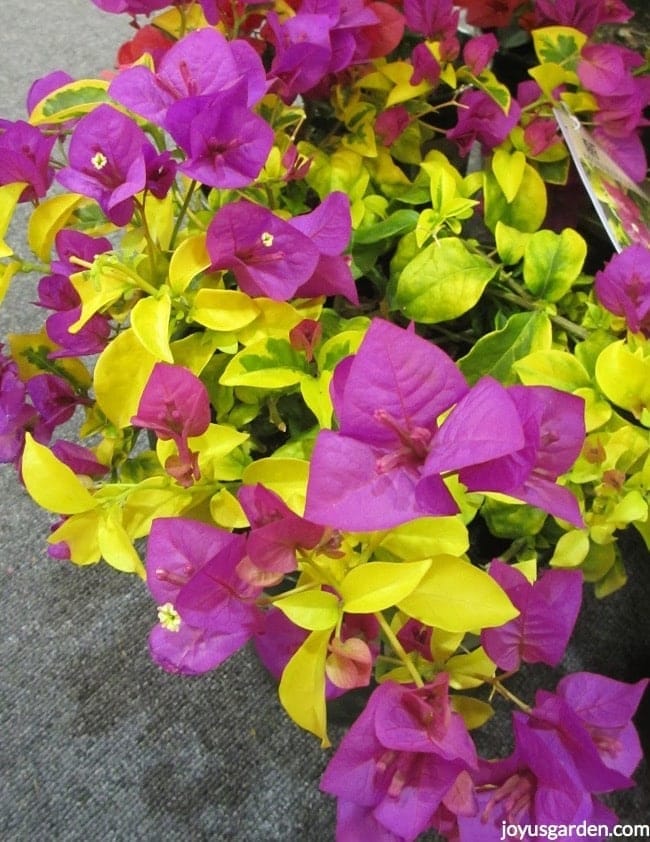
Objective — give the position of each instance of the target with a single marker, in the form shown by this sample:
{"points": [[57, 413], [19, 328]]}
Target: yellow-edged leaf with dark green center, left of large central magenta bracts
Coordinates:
{"points": [[269, 364]]}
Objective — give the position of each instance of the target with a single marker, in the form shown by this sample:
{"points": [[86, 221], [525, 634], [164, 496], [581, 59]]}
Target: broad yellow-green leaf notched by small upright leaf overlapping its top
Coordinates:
{"points": [[525, 212]]}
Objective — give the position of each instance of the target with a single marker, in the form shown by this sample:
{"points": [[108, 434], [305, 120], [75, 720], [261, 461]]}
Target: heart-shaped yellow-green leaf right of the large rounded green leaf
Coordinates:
{"points": [[553, 262]]}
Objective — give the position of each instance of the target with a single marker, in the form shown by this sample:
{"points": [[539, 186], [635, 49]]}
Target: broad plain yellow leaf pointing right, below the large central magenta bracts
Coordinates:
{"points": [[456, 596]]}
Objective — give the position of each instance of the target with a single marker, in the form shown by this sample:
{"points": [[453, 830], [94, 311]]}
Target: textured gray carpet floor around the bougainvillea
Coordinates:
{"points": [[95, 741]]}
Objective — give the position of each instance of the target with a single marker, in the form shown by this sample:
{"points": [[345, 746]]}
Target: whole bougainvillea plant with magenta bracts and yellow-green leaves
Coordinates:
{"points": [[309, 294]]}
